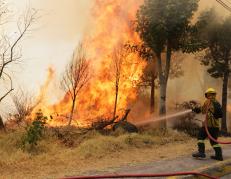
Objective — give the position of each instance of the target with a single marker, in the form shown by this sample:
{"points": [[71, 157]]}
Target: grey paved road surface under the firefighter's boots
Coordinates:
{"points": [[182, 164]]}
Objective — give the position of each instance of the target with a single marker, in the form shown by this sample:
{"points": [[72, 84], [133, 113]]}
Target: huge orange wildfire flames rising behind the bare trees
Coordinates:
{"points": [[112, 25]]}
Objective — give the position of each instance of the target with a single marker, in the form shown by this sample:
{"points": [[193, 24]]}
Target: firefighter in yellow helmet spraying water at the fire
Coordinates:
{"points": [[213, 107]]}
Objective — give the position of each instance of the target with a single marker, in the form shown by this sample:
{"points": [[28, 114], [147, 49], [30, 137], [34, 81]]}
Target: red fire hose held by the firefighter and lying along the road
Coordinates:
{"points": [[159, 174]]}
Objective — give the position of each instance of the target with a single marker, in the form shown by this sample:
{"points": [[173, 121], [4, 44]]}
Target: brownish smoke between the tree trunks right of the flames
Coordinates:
{"points": [[190, 86]]}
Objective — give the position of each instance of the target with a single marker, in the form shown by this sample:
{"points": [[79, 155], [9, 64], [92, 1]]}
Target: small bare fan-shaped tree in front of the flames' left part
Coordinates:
{"points": [[76, 76]]}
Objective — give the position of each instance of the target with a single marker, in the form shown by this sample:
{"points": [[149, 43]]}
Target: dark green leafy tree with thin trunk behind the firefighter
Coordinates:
{"points": [[215, 34]]}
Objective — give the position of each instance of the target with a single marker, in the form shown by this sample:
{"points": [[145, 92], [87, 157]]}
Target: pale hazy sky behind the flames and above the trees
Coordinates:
{"points": [[61, 26]]}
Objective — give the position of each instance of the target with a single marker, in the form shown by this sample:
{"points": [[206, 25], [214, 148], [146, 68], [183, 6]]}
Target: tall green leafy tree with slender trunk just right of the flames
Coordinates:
{"points": [[163, 26]]}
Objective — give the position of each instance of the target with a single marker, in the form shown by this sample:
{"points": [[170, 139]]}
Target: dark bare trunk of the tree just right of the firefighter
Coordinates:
{"points": [[224, 101]]}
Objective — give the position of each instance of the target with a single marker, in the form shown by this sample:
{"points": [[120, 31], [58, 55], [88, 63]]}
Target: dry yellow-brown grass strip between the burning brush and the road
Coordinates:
{"points": [[93, 152]]}
